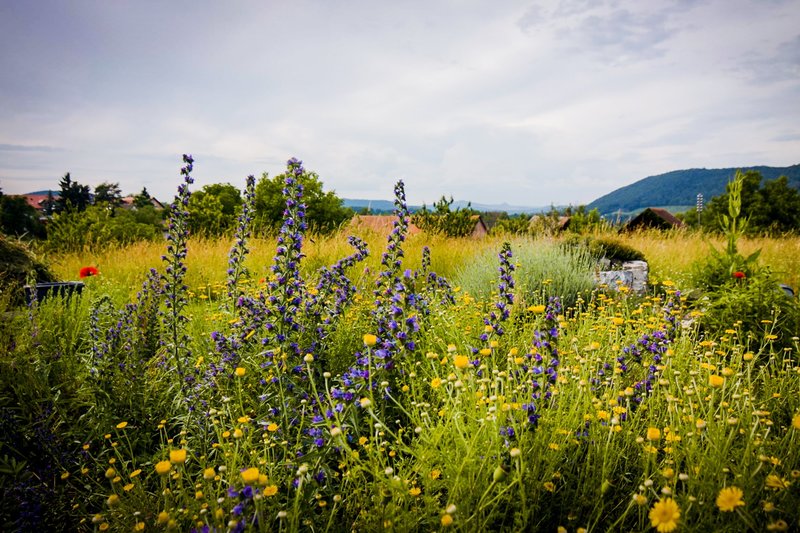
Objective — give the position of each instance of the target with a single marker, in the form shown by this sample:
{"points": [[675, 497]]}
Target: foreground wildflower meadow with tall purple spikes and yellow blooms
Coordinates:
{"points": [[374, 394]]}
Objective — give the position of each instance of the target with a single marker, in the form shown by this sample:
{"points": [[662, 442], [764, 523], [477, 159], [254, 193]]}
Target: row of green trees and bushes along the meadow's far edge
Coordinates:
{"points": [[76, 216]]}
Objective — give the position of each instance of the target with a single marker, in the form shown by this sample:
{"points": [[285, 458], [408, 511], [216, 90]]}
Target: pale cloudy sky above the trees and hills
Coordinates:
{"points": [[524, 102]]}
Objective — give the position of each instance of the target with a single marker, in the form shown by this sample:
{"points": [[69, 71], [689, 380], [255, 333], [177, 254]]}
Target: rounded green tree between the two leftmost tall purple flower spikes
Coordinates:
{"points": [[213, 209]]}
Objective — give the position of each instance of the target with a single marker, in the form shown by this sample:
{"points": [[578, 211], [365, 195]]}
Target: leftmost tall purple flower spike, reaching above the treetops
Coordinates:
{"points": [[177, 341]]}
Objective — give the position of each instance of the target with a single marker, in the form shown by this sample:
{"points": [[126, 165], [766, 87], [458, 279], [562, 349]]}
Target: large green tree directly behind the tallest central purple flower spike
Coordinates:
{"points": [[325, 212]]}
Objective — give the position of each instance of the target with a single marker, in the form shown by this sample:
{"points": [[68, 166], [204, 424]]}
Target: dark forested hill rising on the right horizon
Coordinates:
{"points": [[681, 187]]}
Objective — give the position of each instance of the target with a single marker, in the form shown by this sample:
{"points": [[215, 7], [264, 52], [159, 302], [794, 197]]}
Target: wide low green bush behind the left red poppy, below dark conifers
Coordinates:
{"points": [[97, 225]]}
